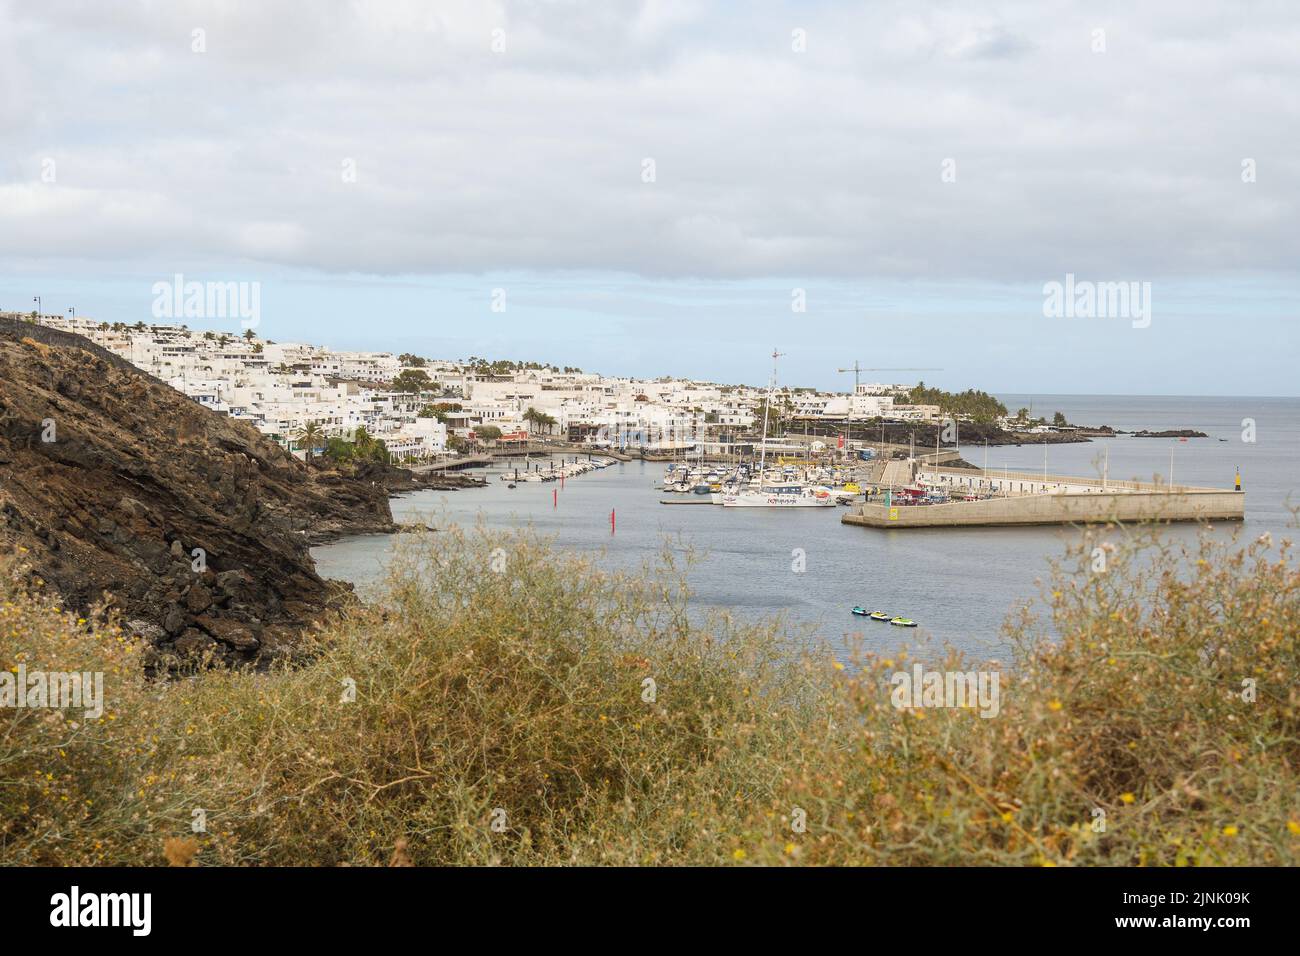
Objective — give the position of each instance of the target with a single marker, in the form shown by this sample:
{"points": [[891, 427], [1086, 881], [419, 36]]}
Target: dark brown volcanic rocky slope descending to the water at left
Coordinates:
{"points": [[116, 488]]}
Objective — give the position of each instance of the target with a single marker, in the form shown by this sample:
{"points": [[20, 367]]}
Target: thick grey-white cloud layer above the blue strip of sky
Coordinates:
{"points": [[770, 163]]}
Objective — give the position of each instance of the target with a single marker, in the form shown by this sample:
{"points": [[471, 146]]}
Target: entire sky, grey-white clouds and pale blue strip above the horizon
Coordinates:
{"points": [[651, 181]]}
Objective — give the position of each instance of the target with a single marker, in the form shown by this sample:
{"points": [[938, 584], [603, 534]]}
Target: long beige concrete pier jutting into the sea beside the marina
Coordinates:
{"points": [[1025, 499]]}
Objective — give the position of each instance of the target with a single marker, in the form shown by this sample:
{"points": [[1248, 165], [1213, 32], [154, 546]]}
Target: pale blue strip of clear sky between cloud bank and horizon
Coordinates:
{"points": [[1229, 338]]}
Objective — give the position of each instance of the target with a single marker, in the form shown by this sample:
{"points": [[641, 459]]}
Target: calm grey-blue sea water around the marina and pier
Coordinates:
{"points": [[959, 585]]}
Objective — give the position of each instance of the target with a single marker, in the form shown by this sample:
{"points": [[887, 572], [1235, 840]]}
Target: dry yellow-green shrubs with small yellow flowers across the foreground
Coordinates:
{"points": [[521, 707]]}
